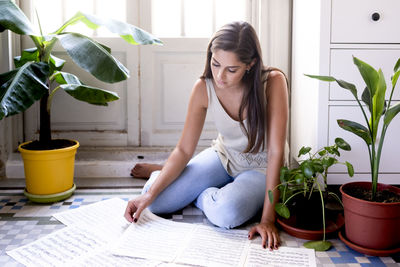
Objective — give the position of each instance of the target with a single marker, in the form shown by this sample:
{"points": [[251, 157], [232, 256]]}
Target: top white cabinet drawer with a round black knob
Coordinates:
{"points": [[352, 21]]}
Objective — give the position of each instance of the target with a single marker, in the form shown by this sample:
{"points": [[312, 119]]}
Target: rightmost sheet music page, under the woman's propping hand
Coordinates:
{"points": [[284, 256]]}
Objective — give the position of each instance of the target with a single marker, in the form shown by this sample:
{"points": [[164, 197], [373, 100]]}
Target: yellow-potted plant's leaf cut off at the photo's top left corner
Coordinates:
{"points": [[13, 19]]}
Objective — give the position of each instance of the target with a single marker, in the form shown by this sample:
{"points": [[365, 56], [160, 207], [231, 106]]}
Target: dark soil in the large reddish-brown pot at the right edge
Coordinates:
{"points": [[384, 196]]}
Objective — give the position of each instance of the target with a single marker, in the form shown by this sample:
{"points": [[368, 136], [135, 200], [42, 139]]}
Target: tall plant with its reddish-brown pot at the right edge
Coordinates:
{"points": [[371, 219]]}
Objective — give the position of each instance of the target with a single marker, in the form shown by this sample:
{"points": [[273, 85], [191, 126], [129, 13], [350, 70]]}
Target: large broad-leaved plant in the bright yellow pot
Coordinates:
{"points": [[38, 75]]}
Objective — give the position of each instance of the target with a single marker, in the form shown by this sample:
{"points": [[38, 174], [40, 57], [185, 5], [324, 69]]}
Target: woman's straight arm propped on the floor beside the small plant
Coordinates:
{"points": [[277, 119]]}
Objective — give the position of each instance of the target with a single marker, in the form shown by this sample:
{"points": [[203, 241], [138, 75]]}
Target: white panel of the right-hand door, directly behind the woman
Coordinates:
{"points": [[168, 75]]}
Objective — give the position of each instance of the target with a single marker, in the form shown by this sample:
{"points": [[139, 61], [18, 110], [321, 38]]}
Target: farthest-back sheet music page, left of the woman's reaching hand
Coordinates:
{"points": [[107, 211]]}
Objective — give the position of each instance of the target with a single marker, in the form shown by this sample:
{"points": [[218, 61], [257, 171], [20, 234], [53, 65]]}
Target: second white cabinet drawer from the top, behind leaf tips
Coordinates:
{"points": [[342, 67]]}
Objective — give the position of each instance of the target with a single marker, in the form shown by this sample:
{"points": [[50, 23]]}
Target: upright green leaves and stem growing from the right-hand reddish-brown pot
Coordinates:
{"points": [[373, 97]]}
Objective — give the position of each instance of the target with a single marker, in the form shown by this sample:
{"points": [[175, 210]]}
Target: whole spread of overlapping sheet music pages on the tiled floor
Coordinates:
{"points": [[99, 235]]}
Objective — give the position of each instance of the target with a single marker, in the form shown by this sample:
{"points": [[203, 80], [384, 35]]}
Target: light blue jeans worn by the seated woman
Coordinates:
{"points": [[226, 201]]}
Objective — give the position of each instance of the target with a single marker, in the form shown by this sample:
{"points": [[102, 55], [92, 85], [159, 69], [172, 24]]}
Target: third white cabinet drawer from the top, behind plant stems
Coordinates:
{"points": [[358, 156]]}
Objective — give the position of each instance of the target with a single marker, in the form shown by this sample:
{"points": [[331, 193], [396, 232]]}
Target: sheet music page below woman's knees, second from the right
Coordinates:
{"points": [[212, 246]]}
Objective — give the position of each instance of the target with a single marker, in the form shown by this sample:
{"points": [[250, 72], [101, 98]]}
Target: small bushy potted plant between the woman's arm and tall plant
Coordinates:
{"points": [[304, 194]]}
